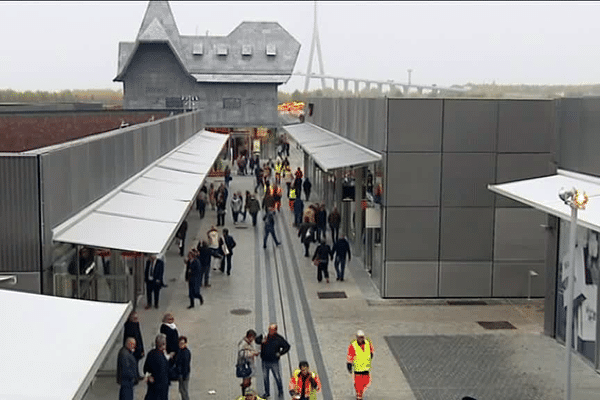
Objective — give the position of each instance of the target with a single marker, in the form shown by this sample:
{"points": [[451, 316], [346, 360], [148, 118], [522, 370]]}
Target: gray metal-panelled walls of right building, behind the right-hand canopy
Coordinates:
{"points": [[445, 234]]}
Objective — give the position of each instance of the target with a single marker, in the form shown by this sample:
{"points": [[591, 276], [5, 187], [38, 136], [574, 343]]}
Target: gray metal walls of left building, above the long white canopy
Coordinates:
{"points": [[72, 176]]}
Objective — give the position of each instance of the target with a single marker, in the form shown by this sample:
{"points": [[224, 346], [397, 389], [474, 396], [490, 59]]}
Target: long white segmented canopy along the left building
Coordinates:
{"points": [[143, 213]]}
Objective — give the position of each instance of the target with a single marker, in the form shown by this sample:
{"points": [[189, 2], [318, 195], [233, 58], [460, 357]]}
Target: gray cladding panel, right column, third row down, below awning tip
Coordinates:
{"points": [[519, 234]]}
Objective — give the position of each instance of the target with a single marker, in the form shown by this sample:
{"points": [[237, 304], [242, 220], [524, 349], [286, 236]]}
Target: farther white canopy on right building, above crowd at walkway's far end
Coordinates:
{"points": [[330, 151]]}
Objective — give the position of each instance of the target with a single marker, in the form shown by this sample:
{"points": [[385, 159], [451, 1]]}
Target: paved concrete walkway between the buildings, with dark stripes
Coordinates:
{"points": [[279, 285]]}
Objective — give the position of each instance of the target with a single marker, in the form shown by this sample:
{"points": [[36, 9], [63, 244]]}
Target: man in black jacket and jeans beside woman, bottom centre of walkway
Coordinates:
{"points": [[272, 347]]}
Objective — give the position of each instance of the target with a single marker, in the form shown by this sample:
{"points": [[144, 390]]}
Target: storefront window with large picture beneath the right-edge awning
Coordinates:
{"points": [[587, 276]]}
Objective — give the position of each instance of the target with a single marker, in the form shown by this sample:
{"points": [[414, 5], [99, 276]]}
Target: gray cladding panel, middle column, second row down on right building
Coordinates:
{"points": [[465, 177]]}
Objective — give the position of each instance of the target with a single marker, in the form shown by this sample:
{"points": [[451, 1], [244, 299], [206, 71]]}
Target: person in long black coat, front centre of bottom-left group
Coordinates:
{"points": [[157, 366]]}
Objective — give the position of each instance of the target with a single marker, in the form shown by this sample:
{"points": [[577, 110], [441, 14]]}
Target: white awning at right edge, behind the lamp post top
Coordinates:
{"points": [[542, 194]]}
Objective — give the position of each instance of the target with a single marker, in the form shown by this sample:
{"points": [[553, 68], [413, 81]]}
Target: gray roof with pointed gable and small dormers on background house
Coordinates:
{"points": [[253, 52]]}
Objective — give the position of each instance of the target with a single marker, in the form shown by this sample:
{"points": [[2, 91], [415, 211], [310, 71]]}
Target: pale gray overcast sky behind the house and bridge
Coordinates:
{"points": [[73, 45]]}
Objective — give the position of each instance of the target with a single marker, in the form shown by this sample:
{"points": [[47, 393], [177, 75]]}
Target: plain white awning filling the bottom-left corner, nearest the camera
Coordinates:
{"points": [[53, 346]]}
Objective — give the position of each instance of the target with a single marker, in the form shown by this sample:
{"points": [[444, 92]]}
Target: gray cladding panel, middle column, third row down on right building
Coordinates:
{"points": [[466, 234]]}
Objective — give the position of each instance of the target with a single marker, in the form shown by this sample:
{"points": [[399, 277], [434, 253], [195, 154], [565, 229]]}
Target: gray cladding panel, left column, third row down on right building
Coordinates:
{"points": [[412, 233]]}
